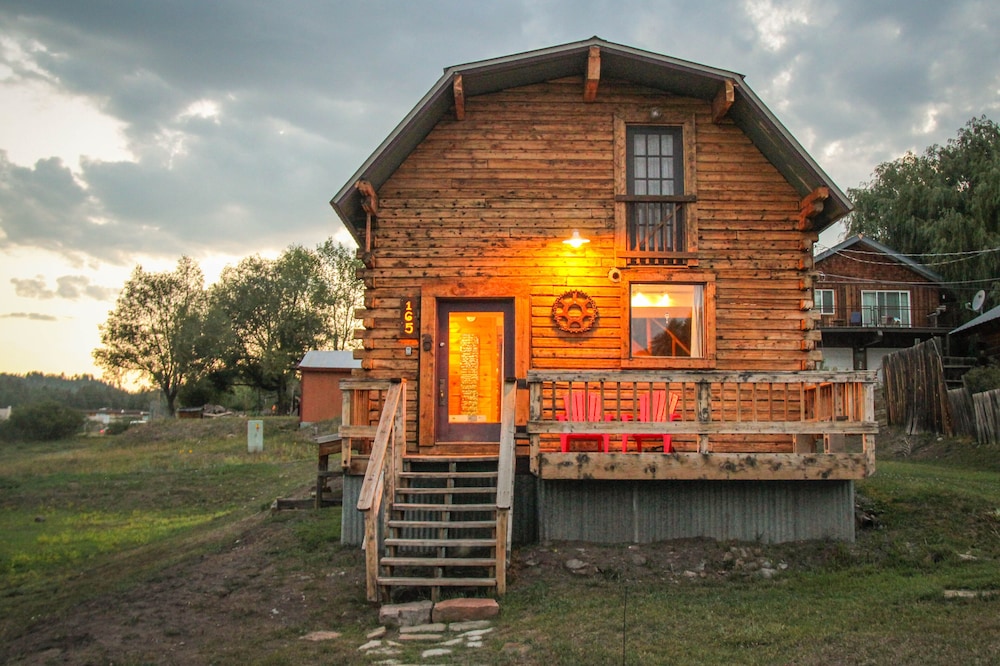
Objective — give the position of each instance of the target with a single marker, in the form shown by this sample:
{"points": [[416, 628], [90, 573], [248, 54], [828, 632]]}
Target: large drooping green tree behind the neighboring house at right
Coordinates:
{"points": [[942, 207]]}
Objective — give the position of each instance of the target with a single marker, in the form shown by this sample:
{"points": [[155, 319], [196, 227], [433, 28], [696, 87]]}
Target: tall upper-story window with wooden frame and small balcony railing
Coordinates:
{"points": [[653, 190]]}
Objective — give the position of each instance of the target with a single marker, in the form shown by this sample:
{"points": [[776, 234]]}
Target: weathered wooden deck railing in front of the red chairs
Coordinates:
{"points": [[719, 413]]}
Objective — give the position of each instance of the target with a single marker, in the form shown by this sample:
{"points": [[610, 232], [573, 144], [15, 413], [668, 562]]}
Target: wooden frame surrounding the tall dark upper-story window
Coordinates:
{"points": [[685, 123]]}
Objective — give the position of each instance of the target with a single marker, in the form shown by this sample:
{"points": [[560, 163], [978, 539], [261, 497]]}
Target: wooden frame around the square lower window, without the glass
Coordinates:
{"points": [[703, 279]]}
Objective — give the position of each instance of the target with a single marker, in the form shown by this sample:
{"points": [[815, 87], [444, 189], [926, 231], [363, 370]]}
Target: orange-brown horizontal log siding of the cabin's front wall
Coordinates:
{"points": [[493, 196]]}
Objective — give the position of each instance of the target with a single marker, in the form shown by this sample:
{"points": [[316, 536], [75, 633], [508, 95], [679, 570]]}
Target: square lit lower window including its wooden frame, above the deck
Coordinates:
{"points": [[670, 323]]}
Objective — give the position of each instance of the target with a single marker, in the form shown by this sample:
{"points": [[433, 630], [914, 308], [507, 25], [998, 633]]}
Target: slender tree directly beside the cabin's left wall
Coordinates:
{"points": [[340, 266]]}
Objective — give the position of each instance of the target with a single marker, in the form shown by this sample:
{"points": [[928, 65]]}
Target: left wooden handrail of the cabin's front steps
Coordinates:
{"points": [[384, 464]]}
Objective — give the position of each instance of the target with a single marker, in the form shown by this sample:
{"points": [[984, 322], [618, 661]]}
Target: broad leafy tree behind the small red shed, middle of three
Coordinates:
{"points": [[276, 310]]}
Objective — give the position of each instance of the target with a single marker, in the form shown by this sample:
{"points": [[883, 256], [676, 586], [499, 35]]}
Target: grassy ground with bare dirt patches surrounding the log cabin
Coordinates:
{"points": [[158, 546]]}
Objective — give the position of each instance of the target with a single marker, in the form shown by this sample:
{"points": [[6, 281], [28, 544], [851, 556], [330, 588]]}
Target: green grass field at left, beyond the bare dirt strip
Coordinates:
{"points": [[74, 510]]}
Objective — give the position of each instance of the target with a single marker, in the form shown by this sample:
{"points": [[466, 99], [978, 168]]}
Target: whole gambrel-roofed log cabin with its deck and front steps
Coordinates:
{"points": [[588, 316]]}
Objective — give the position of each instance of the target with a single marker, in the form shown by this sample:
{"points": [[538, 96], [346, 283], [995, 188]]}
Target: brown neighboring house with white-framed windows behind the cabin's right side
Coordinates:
{"points": [[873, 301]]}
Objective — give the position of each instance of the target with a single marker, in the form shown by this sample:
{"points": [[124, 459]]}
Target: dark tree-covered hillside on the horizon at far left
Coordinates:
{"points": [[81, 392]]}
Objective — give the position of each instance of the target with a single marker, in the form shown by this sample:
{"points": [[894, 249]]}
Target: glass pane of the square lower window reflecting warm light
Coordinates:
{"points": [[666, 320]]}
